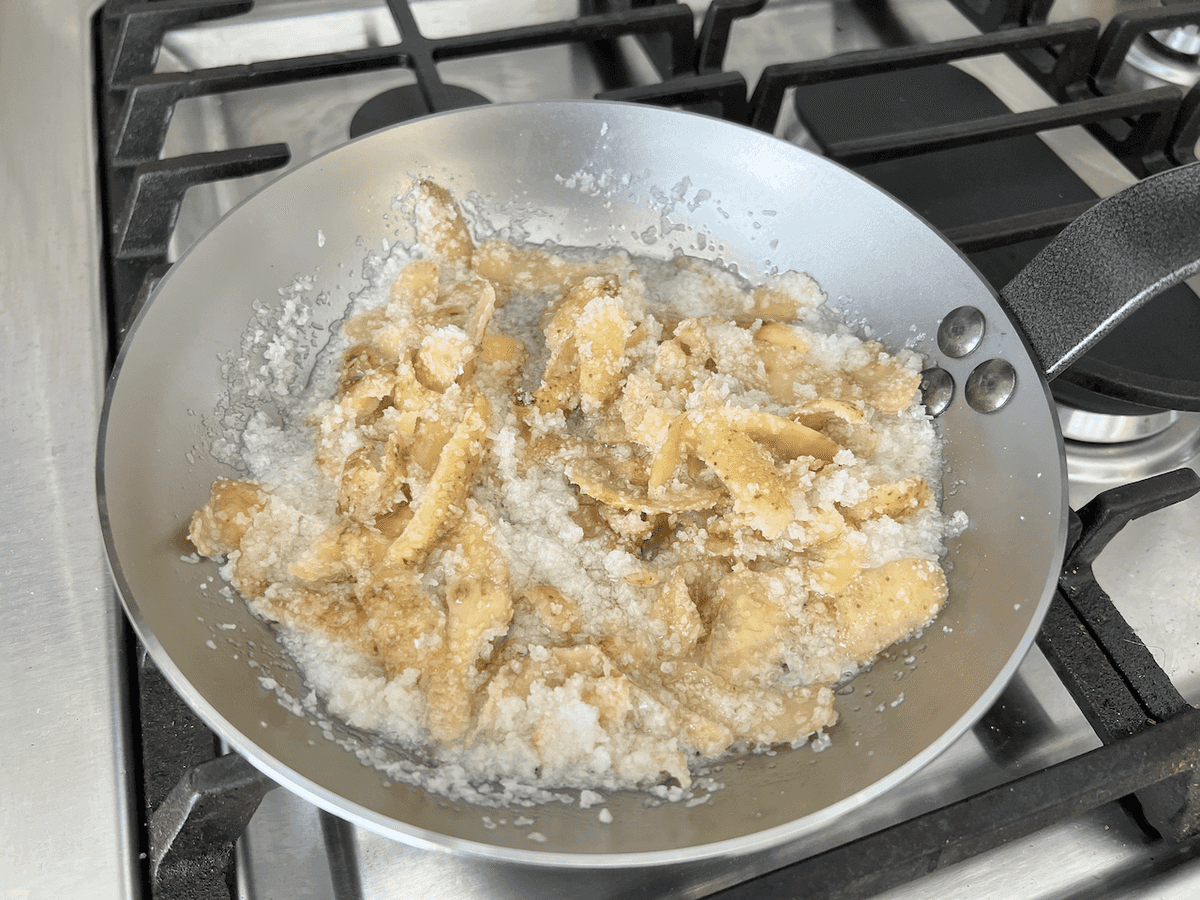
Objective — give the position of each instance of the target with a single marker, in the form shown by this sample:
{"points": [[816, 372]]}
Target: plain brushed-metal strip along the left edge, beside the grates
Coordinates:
{"points": [[65, 824]]}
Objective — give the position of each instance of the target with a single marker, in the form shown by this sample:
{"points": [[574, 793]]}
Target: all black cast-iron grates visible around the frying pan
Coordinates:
{"points": [[197, 802]]}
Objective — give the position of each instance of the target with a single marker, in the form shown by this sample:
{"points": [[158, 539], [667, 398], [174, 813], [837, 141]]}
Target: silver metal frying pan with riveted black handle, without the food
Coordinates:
{"points": [[657, 183]]}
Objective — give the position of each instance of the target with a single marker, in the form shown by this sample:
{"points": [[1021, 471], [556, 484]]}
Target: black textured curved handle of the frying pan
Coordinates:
{"points": [[1106, 265]]}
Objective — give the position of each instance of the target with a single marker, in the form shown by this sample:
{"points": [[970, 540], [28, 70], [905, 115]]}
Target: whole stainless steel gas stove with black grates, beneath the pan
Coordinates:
{"points": [[998, 122]]}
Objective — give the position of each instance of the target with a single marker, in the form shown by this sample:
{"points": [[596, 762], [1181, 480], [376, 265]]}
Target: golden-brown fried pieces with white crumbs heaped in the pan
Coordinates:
{"points": [[656, 547]]}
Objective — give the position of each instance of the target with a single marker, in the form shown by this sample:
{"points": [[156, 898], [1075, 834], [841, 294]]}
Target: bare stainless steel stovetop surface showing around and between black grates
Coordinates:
{"points": [[68, 820]]}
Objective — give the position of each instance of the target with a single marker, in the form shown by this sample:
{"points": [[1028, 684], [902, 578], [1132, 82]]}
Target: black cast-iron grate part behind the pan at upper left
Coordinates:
{"points": [[143, 194]]}
